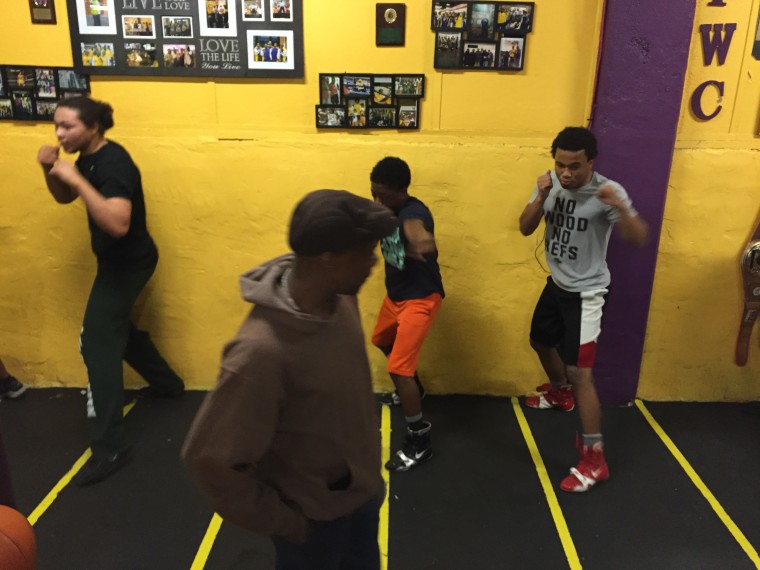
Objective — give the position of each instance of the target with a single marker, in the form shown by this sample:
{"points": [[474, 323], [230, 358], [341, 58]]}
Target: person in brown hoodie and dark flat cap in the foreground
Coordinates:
{"points": [[287, 445]]}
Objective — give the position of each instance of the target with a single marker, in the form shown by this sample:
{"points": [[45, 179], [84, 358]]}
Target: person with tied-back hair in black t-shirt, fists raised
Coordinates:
{"points": [[108, 182]]}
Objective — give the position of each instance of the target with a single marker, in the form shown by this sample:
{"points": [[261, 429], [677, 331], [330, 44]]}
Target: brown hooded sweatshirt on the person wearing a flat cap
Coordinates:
{"points": [[291, 430]]}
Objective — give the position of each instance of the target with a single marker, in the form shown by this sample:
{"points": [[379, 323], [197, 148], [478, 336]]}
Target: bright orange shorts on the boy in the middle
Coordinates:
{"points": [[403, 326]]}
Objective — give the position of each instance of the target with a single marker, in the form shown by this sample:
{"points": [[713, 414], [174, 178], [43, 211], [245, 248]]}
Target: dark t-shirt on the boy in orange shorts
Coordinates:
{"points": [[407, 278]]}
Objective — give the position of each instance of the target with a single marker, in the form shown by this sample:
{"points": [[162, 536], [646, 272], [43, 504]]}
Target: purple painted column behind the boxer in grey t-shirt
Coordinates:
{"points": [[640, 84]]}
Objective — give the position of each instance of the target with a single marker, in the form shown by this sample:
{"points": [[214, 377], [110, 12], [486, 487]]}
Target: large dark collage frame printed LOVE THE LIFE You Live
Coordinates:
{"points": [[188, 38]]}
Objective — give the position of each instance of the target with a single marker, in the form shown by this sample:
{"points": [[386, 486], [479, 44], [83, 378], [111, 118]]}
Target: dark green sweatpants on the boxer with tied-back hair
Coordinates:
{"points": [[108, 338]]}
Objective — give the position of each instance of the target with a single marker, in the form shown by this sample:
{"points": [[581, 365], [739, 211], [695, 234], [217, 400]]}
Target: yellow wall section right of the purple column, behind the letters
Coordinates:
{"points": [[712, 206]]}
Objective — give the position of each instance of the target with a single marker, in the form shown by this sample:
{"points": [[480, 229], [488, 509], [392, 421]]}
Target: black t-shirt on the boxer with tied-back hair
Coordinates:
{"points": [[114, 174]]}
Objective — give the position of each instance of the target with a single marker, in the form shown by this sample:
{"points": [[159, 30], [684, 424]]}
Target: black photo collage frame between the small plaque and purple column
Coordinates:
{"points": [[481, 36]]}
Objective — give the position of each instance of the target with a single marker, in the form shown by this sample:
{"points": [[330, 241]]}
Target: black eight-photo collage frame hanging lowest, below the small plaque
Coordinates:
{"points": [[369, 101]]}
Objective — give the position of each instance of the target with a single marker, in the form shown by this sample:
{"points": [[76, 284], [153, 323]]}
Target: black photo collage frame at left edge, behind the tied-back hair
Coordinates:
{"points": [[29, 93]]}
